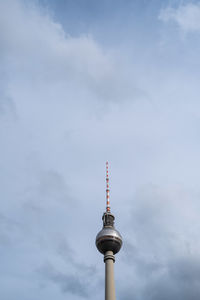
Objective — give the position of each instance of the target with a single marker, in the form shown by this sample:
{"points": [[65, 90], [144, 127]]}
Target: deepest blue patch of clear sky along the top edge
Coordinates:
{"points": [[110, 22]]}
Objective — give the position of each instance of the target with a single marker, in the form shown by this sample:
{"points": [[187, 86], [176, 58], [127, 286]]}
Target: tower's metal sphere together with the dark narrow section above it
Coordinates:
{"points": [[108, 239]]}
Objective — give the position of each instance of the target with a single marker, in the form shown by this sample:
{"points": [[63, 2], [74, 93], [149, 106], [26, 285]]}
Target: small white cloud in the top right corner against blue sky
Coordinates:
{"points": [[186, 16]]}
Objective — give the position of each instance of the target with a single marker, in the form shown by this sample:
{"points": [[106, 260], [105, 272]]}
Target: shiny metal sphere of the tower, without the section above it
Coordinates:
{"points": [[108, 239]]}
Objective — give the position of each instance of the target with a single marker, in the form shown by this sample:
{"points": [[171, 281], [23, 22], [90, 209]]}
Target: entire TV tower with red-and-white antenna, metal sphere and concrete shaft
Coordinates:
{"points": [[108, 242]]}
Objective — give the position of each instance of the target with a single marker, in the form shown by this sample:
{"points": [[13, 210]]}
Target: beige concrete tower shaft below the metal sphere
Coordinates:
{"points": [[109, 260]]}
